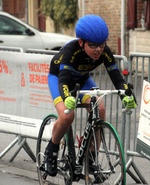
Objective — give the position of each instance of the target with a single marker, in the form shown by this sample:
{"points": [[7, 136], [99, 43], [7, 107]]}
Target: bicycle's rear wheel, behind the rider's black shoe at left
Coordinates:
{"points": [[64, 169]]}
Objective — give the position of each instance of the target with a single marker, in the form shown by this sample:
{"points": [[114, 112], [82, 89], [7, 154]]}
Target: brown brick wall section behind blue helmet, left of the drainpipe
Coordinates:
{"points": [[110, 11]]}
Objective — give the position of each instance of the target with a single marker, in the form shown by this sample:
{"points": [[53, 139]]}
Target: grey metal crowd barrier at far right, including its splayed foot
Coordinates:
{"points": [[139, 70]]}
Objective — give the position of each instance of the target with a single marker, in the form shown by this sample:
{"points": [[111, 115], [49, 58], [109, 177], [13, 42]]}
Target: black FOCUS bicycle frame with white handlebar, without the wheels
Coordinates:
{"points": [[93, 119]]}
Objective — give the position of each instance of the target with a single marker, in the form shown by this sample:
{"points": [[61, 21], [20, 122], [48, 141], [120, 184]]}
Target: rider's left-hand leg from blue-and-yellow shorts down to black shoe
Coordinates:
{"points": [[60, 127]]}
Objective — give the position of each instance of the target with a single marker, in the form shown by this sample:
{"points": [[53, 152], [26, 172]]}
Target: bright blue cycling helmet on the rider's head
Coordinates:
{"points": [[92, 28]]}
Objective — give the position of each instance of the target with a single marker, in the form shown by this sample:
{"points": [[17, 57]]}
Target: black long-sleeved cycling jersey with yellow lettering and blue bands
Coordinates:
{"points": [[72, 65]]}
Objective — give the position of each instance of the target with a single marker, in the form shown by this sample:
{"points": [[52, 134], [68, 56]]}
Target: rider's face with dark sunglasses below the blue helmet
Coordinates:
{"points": [[93, 50]]}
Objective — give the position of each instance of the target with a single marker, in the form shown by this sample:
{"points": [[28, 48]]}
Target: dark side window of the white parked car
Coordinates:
{"points": [[11, 27]]}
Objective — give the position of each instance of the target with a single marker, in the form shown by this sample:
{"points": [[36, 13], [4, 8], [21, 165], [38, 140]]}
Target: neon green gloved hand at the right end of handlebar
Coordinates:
{"points": [[129, 102]]}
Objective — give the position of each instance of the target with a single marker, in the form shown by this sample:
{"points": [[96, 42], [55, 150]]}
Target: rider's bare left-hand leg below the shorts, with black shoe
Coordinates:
{"points": [[60, 127]]}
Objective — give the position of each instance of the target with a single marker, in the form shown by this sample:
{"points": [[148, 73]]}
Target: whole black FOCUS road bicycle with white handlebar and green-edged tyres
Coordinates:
{"points": [[98, 160]]}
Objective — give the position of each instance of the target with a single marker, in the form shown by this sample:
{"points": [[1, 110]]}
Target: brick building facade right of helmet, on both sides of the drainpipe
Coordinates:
{"points": [[136, 32]]}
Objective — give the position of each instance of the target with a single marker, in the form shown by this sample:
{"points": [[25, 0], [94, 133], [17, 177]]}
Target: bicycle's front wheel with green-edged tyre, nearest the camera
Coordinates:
{"points": [[109, 165]]}
